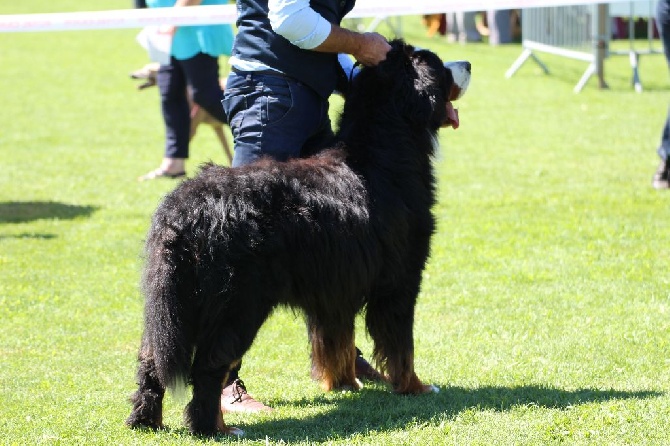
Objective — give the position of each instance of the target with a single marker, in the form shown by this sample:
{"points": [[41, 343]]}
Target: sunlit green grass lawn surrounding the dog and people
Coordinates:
{"points": [[545, 308]]}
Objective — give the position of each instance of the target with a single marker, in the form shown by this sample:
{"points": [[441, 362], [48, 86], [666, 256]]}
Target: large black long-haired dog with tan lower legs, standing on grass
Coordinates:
{"points": [[346, 229]]}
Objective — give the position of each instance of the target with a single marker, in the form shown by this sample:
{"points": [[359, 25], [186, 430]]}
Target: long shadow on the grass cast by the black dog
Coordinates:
{"points": [[380, 410]]}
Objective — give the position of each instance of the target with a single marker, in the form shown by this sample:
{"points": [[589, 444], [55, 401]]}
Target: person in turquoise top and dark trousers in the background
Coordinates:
{"points": [[193, 62]]}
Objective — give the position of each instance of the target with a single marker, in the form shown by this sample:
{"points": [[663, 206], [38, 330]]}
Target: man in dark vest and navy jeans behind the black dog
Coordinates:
{"points": [[284, 68]]}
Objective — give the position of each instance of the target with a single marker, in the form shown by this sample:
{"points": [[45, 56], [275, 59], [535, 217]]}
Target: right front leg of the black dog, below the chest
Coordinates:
{"points": [[391, 328]]}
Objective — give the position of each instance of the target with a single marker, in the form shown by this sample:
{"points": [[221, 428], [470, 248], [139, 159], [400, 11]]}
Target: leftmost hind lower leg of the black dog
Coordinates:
{"points": [[148, 399]]}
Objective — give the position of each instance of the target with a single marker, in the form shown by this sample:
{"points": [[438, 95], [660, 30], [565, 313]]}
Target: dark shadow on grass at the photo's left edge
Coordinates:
{"points": [[26, 211]]}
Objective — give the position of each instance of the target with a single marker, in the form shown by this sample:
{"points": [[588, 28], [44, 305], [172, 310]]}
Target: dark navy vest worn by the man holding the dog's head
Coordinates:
{"points": [[256, 41]]}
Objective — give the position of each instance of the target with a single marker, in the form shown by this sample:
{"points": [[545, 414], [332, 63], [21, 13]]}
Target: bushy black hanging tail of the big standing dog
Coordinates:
{"points": [[167, 284]]}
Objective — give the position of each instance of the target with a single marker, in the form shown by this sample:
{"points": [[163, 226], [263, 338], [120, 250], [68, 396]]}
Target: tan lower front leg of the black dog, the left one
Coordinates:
{"points": [[333, 356]]}
